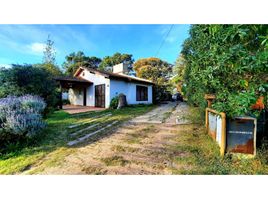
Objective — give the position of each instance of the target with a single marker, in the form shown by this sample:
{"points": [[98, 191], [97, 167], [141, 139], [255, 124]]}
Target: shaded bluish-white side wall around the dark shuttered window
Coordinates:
{"points": [[129, 89]]}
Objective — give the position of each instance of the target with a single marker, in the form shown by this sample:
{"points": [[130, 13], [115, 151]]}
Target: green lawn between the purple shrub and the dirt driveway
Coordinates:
{"points": [[50, 147]]}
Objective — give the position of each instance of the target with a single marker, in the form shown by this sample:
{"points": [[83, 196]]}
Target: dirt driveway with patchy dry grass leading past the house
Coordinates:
{"points": [[145, 145]]}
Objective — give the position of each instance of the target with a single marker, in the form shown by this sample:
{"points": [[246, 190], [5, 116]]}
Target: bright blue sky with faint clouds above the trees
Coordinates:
{"points": [[25, 43]]}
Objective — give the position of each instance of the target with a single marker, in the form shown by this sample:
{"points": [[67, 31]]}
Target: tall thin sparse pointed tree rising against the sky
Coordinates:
{"points": [[49, 59]]}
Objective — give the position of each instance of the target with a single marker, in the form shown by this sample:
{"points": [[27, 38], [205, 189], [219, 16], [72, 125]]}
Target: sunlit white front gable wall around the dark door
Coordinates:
{"points": [[96, 80]]}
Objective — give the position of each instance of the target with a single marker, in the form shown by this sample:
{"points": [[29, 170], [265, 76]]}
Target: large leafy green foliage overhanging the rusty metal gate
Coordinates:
{"points": [[230, 61]]}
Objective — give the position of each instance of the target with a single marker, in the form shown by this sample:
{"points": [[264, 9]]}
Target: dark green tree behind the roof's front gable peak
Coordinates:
{"points": [[79, 59]]}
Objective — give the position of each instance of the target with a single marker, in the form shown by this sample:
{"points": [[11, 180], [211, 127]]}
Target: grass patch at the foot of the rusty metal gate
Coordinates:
{"points": [[202, 157]]}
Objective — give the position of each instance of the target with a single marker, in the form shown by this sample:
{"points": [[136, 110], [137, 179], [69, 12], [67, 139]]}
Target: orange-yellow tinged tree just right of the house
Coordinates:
{"points": [[157, 71]]}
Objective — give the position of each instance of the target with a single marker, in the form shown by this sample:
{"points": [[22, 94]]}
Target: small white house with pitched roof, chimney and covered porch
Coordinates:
{"points": [[92, 87]]}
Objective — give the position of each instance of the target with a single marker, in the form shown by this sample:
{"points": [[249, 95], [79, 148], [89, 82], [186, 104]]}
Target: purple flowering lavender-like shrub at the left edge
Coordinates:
{"points": [[22, 115]]}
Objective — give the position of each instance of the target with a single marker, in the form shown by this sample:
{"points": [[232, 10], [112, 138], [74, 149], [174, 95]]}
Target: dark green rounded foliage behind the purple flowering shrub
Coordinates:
{"points": [[26, 79]]}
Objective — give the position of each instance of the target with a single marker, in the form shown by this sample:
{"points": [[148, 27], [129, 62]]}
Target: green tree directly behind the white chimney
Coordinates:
{"points": [[109, 61]]}
